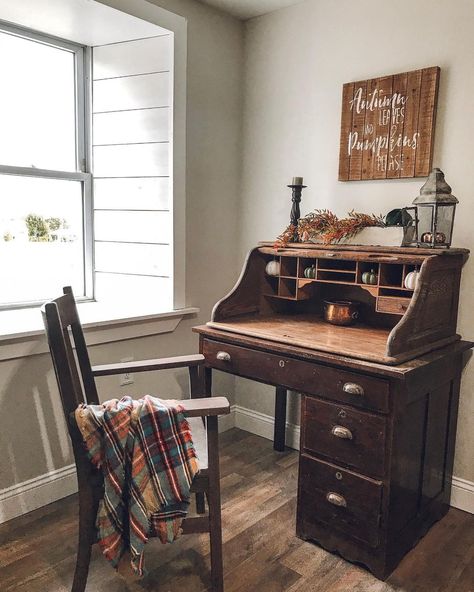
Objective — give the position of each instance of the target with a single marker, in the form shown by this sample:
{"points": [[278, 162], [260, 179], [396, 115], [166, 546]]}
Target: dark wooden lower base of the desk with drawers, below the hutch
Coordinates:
{"points": [[372, 495]]}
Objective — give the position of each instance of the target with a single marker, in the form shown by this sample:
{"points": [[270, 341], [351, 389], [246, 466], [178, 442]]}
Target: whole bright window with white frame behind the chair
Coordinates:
{"points": [[45, 183]]}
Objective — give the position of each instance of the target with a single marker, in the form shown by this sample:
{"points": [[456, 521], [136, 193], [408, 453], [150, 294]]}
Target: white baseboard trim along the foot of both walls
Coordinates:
{"points": [[50, 487]]}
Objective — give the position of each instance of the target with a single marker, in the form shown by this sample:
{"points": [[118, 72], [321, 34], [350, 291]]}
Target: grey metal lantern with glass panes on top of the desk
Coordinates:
{"points": [[434, 212]]}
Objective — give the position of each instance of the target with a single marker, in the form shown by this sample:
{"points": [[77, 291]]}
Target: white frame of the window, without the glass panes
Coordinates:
{"points": [[82, 61]]}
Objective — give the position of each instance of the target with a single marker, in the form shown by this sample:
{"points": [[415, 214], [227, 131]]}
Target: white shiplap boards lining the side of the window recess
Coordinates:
{"points": [[132, 115]]}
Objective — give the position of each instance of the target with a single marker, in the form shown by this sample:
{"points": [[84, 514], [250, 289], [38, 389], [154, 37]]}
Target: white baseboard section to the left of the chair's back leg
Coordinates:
{"points": [[37, 492]]}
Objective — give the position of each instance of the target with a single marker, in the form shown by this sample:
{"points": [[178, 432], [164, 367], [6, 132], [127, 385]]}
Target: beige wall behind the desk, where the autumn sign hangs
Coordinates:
{"points": [[296, 62]]}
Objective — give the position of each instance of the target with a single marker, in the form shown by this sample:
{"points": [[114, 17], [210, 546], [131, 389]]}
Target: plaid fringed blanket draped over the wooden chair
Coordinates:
{"points": [[146, 454]]}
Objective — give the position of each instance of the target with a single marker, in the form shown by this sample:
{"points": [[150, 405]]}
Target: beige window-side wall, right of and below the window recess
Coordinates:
{"points": [[32, 434]]}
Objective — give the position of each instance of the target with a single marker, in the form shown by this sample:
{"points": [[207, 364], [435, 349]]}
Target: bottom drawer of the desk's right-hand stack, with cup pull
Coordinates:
{"points": [[341, 499]]}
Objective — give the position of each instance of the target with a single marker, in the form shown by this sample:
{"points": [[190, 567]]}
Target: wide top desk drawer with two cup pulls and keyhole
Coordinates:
{"points": [[300, 375]]}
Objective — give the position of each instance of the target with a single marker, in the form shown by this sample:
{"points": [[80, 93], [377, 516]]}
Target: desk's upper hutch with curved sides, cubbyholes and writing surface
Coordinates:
{"points": [[398, 321]]}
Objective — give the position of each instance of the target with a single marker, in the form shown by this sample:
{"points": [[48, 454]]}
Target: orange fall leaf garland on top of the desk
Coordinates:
{"points": [[324, 225]]}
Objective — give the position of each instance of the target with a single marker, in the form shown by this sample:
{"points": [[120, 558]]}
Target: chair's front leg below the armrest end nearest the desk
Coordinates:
{"points": [[214, 499]]}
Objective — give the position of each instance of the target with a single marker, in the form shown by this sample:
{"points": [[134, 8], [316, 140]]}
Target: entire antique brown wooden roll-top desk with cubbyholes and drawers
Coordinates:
{"points": [[379, 399]]}
